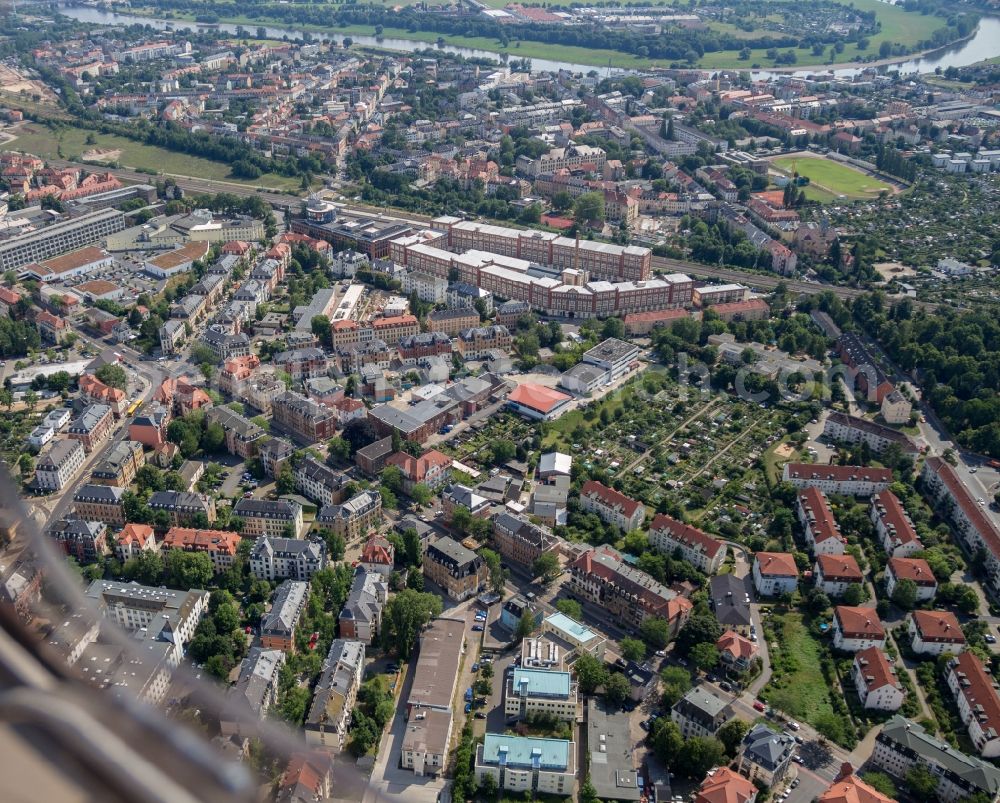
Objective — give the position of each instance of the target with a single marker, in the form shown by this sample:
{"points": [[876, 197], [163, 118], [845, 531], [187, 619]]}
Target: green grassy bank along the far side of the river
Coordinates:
{"points": [[904, 28]]}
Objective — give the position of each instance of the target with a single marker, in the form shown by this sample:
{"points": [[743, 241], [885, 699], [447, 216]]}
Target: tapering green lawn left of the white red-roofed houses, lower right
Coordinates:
{"points": [[797, 686]]}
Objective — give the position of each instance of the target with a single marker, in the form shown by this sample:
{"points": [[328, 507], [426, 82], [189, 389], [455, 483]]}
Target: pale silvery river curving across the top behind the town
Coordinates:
{"points": [[983, 44]]}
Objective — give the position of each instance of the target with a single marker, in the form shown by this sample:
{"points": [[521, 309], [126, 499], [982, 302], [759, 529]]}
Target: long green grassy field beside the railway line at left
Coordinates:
{"points": [[71, 143]]}
